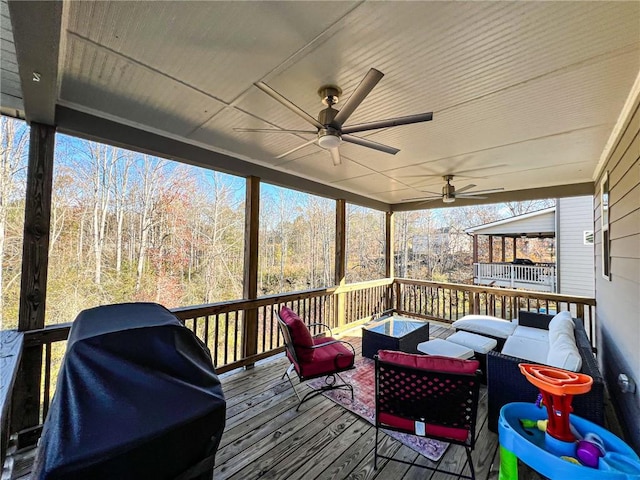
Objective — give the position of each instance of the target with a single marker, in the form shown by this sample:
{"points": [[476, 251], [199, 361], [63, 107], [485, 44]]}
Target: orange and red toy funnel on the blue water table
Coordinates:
{"points": [[557, 387]]}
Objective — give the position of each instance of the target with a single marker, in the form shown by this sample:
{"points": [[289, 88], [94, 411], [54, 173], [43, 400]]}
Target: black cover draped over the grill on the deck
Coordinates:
{"points": [[137, 398]]}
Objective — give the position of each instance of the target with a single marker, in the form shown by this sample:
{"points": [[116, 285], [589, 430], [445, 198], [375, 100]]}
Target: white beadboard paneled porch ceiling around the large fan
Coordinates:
{"points": [[524, 94]]}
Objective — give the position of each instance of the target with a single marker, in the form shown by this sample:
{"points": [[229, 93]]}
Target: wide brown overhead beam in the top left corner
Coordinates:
{"points": [[36, 32]]}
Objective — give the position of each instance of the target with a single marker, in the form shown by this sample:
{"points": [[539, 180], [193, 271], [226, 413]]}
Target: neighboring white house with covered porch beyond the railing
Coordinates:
{"points": [[569, 223]]}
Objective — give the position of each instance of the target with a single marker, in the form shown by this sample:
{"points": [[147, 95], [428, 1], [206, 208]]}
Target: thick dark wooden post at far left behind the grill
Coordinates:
{"points": [[35, 261]]}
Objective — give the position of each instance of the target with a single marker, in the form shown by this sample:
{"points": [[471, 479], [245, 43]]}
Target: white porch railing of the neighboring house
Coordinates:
{"points": [[540, 277]]}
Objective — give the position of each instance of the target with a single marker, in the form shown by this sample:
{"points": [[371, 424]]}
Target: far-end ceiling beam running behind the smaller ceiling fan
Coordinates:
{"points": [[556, 191]]}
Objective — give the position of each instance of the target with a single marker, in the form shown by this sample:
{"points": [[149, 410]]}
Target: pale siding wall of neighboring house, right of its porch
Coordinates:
{"points": [[575, 259]]}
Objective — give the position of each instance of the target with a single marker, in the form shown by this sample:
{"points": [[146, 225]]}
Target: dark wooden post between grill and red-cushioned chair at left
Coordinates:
{"points": [[250, 282]]}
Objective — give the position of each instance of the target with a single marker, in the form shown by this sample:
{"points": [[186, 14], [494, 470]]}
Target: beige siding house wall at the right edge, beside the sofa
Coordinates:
{"points": [[618, 298]]}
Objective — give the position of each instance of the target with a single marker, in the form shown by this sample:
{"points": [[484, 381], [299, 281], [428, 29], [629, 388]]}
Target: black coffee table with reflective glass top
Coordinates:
{"points": [[393, 333]]}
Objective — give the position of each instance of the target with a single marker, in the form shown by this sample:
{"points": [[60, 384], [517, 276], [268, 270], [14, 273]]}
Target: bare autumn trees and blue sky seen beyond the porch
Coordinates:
{"points": [[130, 227]]}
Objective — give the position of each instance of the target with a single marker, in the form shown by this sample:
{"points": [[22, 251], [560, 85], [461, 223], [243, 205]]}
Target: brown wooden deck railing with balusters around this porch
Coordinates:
{"points": [[221, 325]]}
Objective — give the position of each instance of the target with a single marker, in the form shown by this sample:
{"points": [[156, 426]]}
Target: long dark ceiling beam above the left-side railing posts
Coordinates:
{"points": [[98, 129]]}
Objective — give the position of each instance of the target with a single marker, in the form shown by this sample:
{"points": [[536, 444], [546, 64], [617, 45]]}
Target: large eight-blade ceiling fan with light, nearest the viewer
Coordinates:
{"points": [[330, 131]]}
